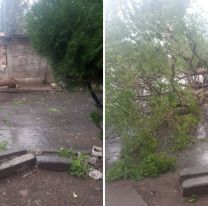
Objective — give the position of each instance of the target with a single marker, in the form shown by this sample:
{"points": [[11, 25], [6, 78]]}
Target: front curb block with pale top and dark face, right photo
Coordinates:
{"points": [[195, 186]]}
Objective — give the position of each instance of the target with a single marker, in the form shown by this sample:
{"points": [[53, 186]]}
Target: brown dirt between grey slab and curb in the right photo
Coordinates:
{"points": [[164, 191]]}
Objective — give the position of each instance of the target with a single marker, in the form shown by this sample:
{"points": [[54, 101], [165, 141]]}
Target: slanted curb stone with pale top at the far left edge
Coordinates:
{"points": [[18, 164]]}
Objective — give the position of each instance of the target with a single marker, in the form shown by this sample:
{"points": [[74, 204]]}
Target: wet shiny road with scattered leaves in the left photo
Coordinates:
{"points": [[47, 120]]}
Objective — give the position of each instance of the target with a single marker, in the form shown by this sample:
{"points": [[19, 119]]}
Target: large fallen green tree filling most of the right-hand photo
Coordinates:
{"points": [[154, 51]]}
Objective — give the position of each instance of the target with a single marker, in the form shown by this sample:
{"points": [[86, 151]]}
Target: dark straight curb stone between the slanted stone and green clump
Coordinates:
{"points": [[53, 163]]}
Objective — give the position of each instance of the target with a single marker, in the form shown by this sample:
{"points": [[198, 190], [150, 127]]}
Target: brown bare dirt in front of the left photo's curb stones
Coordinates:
{"points": [[47, 188]]}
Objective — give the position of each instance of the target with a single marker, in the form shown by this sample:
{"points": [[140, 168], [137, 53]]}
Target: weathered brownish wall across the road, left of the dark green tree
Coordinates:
{"points": [[22, 62]]}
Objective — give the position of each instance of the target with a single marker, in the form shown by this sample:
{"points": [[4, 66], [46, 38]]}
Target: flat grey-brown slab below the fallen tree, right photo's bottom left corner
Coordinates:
{"points": [[122, 193]]}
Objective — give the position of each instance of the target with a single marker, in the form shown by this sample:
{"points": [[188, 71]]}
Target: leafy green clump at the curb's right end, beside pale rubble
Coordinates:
{"points": [[79, 166]]}
